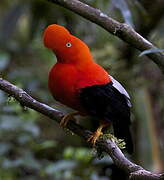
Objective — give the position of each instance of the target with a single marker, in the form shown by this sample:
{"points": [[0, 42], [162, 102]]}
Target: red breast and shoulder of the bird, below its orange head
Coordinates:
{"points": [[66, 80]]}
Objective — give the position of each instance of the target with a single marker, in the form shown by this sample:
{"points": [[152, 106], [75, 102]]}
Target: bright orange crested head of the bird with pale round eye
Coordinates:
{"points": [[67, 47]]}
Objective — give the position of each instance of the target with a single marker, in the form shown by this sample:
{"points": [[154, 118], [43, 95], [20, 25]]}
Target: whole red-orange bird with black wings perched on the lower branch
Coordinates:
{"points": [[78, 82]]}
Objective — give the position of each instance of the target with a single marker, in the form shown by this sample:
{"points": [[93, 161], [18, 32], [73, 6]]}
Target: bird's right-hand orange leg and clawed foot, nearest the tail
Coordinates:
{"points": [[93, 138]]}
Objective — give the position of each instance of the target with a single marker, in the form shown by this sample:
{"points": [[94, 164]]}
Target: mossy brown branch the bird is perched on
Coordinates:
{"points": [[135, 172]]}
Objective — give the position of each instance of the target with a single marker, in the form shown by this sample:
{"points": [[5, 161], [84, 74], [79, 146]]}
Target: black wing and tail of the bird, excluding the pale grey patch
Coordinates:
{"points": [[108, 104]]}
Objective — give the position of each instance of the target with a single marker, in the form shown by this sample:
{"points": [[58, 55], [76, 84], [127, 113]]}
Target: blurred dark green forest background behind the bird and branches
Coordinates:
{"points": [[33, 146]]}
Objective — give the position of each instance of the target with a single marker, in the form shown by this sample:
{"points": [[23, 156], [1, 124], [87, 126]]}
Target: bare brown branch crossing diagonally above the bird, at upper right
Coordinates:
{"points": [[121, 30]]}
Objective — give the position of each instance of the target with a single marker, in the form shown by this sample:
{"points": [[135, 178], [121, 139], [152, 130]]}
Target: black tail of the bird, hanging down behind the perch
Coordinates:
{"points": [[122, 131]]}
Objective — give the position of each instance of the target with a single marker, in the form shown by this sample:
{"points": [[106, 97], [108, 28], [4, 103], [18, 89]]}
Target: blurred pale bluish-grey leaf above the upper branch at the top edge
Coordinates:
{"points": [[125, 11]]}
